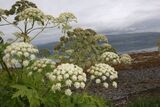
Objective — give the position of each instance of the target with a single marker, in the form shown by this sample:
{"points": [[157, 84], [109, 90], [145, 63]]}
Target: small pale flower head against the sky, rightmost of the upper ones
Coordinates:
{"points": [[66, 16]]}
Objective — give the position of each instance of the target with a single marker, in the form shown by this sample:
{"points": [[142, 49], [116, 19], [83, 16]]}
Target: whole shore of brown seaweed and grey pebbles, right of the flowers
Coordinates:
{"points": [[140, 78]]}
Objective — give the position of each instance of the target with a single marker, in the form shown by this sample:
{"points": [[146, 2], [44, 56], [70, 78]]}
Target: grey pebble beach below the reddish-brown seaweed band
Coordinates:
{"points": [[130, 83]]}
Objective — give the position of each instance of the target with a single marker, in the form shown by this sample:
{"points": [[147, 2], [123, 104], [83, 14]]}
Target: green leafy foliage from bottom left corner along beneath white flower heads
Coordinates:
{"points": [[24, 91]]}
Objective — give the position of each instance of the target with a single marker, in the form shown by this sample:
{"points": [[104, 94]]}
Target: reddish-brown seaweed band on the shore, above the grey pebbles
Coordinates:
{"points": [[142, 60]]}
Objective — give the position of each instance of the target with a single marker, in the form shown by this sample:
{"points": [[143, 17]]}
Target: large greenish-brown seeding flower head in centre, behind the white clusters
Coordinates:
{"points": [[82, 47]]}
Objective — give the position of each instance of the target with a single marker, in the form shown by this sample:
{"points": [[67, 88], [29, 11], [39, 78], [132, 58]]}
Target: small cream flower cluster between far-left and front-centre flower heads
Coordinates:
{"points": [[40, 64]]}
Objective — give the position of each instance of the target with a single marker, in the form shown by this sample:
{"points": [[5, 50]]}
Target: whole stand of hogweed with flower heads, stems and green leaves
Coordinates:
{"points": [[84, 57]]}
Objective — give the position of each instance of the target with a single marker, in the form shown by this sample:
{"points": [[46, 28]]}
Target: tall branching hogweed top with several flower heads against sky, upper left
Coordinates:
{"points": [[31, 21]]}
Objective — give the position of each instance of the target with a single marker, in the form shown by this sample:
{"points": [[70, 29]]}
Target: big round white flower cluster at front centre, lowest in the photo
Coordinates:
{"points": [[67, 76]]}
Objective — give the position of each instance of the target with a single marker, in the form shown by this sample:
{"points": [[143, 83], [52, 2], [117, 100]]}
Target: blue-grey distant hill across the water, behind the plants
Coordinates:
{"points": [[125, 42]]}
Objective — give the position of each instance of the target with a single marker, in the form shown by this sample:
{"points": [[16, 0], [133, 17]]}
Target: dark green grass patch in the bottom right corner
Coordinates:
{"points": [[145, 102]]}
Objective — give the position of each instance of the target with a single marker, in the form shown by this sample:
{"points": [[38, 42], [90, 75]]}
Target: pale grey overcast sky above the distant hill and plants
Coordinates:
{"points": [[104, 16]]}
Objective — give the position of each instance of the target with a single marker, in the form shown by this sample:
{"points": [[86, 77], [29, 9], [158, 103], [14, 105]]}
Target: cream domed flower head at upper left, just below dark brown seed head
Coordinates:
{"points": [[31, 13]]}
